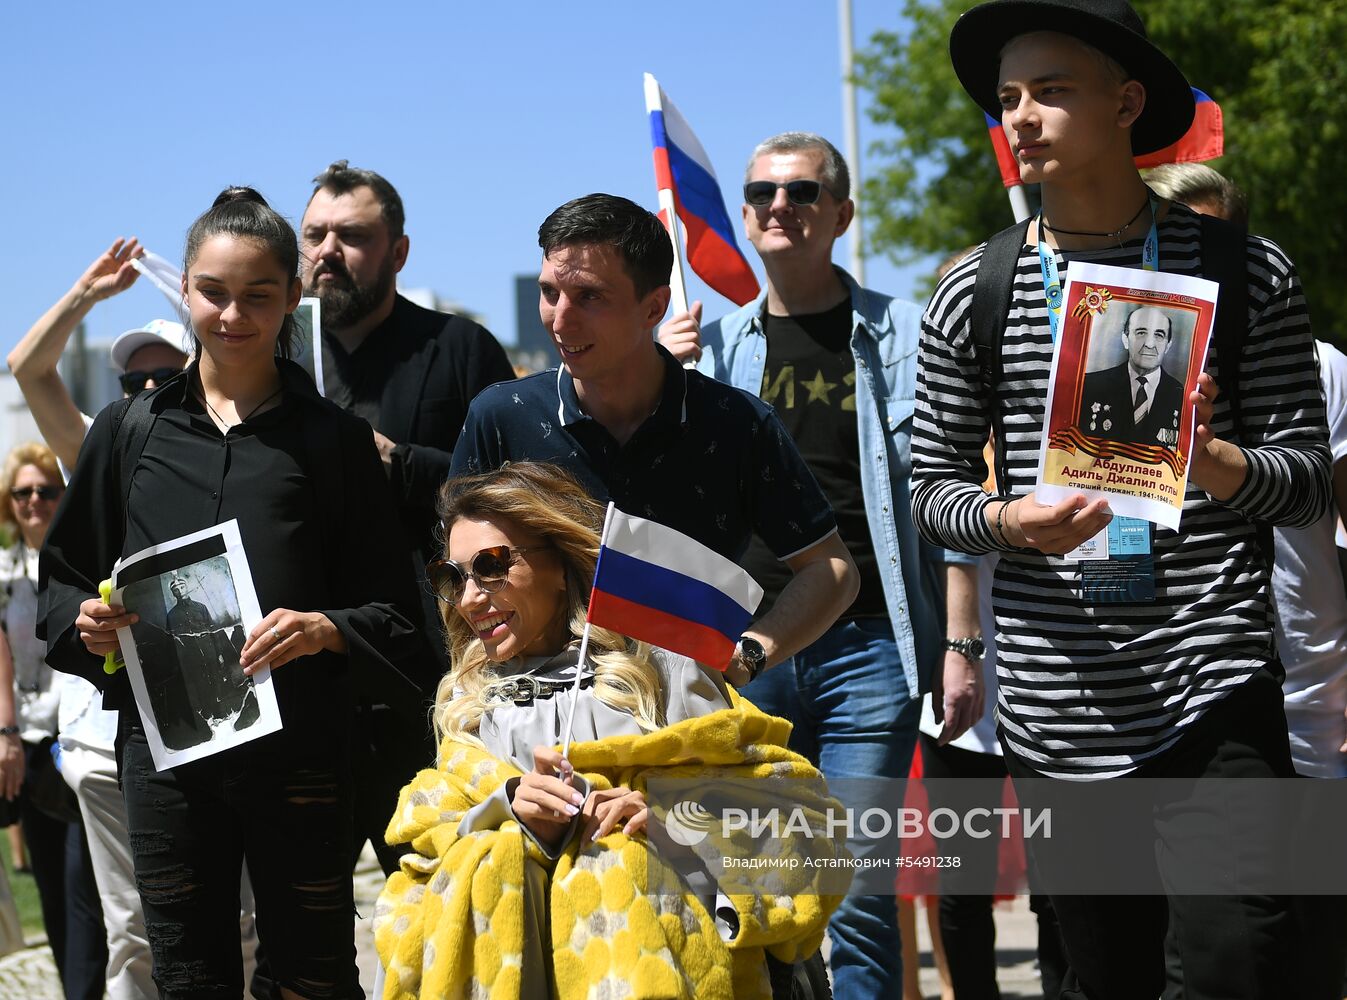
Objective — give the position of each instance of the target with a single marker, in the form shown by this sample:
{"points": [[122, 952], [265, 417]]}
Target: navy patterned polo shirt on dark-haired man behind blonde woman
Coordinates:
{"points": [[712, 462]]}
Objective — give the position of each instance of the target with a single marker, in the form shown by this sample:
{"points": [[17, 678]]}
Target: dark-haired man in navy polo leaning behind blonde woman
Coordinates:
{"points": [[662, 443]]}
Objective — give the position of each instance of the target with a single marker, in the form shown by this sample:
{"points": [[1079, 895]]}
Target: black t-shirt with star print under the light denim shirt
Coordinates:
{"points": [[810, 381]]}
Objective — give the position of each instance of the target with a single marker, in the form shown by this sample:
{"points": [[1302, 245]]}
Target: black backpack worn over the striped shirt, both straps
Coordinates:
{"points": [[1222, 262]]}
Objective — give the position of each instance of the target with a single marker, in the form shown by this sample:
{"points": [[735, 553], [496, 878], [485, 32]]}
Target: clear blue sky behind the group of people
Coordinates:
{"points": [[129, 119]]}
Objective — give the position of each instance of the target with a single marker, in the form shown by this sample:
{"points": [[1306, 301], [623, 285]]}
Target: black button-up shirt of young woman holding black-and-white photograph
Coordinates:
{"points": [[290, 503]]}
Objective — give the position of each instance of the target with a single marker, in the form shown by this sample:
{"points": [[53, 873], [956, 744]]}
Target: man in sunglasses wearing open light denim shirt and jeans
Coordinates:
{"points": [[839, 365]]}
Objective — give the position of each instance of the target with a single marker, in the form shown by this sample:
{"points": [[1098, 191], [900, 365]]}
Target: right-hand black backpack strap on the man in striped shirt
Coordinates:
{"points": [[1224, 261]]}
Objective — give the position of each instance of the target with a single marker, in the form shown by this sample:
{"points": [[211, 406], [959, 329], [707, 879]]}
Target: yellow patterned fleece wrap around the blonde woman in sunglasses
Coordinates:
{"points": [[451, 924]]}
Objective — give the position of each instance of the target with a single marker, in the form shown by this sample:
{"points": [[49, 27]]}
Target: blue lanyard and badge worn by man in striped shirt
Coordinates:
{"points": [[1117, 567]]}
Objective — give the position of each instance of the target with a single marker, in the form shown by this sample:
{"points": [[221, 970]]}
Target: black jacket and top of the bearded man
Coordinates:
{"points": [[413, 379]]}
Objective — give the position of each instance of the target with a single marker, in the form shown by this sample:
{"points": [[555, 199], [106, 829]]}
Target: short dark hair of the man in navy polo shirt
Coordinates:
{"points": [[614, 222]]}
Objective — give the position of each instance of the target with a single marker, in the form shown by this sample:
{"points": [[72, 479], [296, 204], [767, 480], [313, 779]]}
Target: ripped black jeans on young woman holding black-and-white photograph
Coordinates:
{"points": [[288, 812]]}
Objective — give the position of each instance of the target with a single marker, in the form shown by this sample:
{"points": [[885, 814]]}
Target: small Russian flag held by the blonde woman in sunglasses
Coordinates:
{"points": [[661, 587]]}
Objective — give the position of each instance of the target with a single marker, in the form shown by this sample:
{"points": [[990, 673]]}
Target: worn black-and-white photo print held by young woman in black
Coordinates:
{"points": [[192, 598]]}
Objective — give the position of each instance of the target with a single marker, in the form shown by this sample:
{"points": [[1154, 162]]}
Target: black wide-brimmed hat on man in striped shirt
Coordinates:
{"points": [[1111, 26]]}
